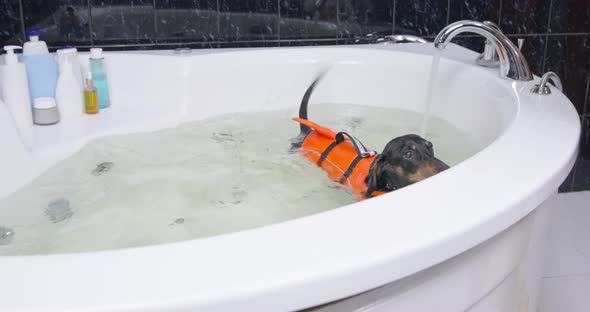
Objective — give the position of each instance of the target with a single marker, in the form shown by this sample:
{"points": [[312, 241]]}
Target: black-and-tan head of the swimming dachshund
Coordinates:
{"points": [[404, 161]]}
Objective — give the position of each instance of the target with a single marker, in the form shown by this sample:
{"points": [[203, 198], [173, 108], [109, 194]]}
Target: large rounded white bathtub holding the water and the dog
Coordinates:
{"points": [[469, 238]]}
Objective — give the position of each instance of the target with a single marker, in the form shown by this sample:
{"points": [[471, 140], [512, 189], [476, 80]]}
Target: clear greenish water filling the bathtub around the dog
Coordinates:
{"points": [[225, 174]]}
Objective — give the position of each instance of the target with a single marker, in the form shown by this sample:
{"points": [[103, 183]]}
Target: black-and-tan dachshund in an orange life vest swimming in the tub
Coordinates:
{"points": [[405, 160]]}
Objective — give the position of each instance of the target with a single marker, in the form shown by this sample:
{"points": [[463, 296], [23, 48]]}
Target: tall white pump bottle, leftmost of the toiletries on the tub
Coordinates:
{"points": [[15, 89]]}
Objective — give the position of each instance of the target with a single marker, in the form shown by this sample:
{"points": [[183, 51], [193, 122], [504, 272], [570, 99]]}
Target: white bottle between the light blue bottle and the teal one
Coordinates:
{"points": [[69, 97]]}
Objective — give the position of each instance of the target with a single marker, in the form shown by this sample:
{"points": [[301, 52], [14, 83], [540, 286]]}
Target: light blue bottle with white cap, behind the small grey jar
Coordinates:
{"points": [[42, 71]]}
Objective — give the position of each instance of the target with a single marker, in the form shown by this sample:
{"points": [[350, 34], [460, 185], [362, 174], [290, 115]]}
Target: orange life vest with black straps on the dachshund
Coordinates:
{"points": [[341, 155]]}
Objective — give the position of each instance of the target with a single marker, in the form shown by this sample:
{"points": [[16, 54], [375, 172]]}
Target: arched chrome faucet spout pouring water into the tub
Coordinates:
{"points": [[513, 65]]}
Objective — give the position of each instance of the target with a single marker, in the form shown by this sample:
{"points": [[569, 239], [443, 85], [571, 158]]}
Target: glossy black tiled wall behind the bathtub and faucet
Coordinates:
{"points": [[556, 33]]}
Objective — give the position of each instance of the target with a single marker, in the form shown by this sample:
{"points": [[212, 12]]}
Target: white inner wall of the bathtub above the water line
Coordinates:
{"points": [[150, 92]]}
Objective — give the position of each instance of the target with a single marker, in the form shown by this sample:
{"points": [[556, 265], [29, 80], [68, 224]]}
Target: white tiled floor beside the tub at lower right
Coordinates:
{"points": [[566, 282]]}
